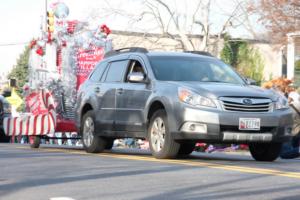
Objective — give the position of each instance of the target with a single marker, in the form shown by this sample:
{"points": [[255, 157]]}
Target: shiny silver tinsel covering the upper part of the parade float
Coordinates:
{"points": [[71, 37]]}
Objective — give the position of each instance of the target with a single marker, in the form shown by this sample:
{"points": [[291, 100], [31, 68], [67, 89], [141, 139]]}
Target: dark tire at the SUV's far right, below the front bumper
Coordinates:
{"points": [[265, 151]]}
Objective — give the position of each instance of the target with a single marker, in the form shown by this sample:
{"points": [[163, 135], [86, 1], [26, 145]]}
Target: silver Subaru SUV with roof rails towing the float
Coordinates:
{"points": [[175, 100]]}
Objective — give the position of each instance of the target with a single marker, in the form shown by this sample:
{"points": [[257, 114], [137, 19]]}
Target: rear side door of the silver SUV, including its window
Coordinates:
{"points": [[106, 90]]}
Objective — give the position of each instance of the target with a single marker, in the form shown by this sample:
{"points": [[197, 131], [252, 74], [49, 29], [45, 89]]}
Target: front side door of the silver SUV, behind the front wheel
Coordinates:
{"points": [[131, 99]]}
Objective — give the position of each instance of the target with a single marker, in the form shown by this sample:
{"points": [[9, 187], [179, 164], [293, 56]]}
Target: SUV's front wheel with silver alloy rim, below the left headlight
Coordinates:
{"points": [[161, 142]]}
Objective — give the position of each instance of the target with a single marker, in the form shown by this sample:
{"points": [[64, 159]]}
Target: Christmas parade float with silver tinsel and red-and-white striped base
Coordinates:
{"points": [[60, 61]]}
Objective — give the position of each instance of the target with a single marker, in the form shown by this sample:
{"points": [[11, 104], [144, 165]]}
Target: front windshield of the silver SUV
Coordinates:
{"points": [[170, 68]]}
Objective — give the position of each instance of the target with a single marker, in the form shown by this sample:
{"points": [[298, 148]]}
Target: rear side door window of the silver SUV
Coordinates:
{"points": [[116, 71]]}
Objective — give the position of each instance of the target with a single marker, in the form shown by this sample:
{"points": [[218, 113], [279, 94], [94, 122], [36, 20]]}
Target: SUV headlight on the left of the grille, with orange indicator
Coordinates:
{"points": [[194, 99]]}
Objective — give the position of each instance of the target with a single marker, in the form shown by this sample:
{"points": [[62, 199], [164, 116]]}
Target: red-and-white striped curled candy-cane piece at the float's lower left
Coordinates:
{"points": [[40, 124]]}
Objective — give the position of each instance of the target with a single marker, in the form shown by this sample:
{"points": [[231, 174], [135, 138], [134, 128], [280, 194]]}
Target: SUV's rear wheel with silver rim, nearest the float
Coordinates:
{"points": [[91, 142]]}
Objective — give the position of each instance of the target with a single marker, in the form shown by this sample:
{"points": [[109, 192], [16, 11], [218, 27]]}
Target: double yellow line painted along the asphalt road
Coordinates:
{"points": [[252, 170]]}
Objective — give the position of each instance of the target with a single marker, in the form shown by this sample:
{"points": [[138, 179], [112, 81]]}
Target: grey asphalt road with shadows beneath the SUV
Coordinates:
{"points": [[50, 173]]}
